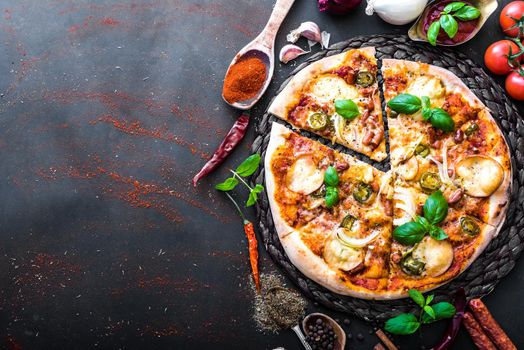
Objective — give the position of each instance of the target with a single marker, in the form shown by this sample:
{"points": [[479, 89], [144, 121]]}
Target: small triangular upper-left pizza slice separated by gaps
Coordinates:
{"points": [[337, 98]]}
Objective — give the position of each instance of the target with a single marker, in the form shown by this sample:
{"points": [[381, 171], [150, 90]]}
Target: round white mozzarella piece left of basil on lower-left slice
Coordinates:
{"points": [[304, 177]]}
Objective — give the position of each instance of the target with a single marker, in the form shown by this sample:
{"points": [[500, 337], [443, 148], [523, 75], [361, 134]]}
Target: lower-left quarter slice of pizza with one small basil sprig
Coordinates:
{"points": [[340, 241]]}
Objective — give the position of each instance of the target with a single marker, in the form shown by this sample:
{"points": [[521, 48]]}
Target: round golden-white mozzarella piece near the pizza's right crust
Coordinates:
{"points": [[480, 175]]}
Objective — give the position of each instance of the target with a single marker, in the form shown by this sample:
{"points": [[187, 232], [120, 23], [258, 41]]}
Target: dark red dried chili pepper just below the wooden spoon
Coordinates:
{"points": [[232, 139]]}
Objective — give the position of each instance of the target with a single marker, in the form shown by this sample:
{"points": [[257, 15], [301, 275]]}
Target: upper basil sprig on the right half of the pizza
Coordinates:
{"points": [[411, 104]]}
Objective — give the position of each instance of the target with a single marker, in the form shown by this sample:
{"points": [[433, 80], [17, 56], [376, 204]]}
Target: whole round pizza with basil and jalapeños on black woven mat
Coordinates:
{"points": [[371, 234]]}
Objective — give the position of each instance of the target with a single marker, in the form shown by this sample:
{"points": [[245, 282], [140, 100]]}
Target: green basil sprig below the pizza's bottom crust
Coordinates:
{"points": [[408, 323]]}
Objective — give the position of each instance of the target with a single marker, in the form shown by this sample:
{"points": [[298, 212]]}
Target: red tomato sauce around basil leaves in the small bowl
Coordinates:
{"points": [[465, 29]]}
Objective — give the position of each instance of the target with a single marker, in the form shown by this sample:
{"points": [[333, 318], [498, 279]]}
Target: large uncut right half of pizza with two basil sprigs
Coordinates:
{"points": [[442, 139]]}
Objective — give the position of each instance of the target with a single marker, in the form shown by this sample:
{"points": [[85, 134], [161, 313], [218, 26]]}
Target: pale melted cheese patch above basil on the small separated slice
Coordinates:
{"points": [[329, 88]]}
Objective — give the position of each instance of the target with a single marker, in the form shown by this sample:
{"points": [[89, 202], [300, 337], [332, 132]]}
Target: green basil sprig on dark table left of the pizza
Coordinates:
{"points": [[246, 168]]}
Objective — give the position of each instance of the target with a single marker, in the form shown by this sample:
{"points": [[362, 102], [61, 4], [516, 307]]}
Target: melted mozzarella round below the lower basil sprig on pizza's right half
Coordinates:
{"points": [[437, 255]]}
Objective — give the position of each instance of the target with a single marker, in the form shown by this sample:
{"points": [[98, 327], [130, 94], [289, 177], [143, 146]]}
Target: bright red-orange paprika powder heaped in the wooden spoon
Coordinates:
{"points": [[244, 79]]}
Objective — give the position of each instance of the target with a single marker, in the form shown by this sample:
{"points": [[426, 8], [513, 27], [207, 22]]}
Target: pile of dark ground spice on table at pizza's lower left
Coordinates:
{"points": [[277, 307]]}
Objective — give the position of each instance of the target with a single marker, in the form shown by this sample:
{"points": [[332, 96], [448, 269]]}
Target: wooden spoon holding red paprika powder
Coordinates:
{"points": [[263, 47]]}
